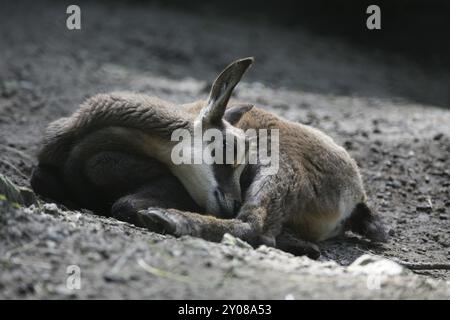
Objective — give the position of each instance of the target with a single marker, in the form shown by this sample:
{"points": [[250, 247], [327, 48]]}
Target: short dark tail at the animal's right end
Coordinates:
{"points": [[364, 222]]}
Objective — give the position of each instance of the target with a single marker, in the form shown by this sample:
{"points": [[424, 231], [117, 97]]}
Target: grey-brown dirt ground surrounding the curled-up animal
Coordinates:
{"points": [[391, 115]]}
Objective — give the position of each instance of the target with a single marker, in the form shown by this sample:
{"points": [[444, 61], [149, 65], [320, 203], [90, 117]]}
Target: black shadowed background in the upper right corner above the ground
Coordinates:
{"points": [[418, 29]]}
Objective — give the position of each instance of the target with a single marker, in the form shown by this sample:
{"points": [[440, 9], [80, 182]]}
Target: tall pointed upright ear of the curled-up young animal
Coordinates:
{"points": [[221, 90]]}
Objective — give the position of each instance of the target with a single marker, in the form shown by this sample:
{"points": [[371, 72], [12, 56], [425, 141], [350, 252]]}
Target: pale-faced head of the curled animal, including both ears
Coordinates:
{"points": [[215, 186]]}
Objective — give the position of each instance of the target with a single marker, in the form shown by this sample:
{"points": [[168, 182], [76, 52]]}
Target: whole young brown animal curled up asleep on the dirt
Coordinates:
{"points": [[117, 146]]}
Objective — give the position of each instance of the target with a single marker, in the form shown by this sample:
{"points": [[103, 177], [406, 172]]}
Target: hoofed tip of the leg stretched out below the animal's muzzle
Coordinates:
{"points": [[164, 221]]}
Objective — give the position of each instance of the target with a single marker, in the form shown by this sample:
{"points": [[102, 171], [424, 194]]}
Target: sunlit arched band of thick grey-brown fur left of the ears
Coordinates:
{"points": [[135, 111]]}
